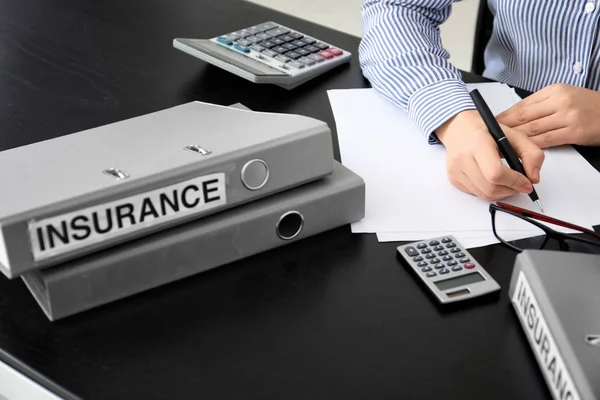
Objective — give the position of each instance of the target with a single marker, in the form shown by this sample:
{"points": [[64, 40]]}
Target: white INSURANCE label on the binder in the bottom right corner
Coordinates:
{"points": [[541, 341]]}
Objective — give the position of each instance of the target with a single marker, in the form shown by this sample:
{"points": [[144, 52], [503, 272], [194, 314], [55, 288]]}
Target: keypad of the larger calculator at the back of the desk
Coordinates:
{"points": [[280, 43]]}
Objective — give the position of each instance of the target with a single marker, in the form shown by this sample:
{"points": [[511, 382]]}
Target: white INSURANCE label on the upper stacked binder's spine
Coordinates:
{"points": [[74, 230]]}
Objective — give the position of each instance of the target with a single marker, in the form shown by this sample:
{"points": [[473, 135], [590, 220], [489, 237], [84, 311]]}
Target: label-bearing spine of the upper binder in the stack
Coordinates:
{"points": [[291, 161]]}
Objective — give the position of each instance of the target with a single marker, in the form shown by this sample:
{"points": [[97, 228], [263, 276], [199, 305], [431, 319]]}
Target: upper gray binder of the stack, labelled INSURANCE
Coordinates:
{"points": [[41, 227]]}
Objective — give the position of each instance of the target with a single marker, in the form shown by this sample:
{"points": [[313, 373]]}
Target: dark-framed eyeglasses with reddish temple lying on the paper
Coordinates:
{"points": [[511, 225]]}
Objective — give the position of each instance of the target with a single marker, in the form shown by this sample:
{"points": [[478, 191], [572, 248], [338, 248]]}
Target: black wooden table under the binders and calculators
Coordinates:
{"points": [[332, 316]]}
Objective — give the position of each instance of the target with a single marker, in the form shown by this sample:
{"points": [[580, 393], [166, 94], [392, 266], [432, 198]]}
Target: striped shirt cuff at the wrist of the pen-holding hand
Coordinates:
{"points": [[436, 103]]}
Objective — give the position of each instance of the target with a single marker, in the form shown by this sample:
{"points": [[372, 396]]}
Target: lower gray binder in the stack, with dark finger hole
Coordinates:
{"points": [[187, 250]]}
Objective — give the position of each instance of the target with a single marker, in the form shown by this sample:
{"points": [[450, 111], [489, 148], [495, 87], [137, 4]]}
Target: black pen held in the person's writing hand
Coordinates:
{"points": [[503, 144]]}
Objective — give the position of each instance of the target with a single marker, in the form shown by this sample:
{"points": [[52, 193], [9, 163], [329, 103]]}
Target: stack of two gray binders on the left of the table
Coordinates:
{"points": [[99, 215]]}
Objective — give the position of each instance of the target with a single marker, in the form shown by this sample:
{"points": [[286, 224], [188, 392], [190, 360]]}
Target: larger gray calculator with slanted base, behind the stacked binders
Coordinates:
{"points": [[267, 53]]}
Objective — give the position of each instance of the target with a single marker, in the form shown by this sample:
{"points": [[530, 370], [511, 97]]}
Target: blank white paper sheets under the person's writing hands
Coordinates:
{"points": [[408, 194]]}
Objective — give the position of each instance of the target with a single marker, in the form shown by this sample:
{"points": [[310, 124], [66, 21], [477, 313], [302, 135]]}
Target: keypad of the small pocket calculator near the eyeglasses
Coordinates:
{"points": [[437, 258]]}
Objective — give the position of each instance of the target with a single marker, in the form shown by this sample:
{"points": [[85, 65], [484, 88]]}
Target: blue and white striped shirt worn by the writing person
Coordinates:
{"points": [[534, 43]]}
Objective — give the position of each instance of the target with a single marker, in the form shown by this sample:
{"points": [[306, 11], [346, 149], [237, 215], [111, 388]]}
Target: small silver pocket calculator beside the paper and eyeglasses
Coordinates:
{"points": [[447, 269]]}
